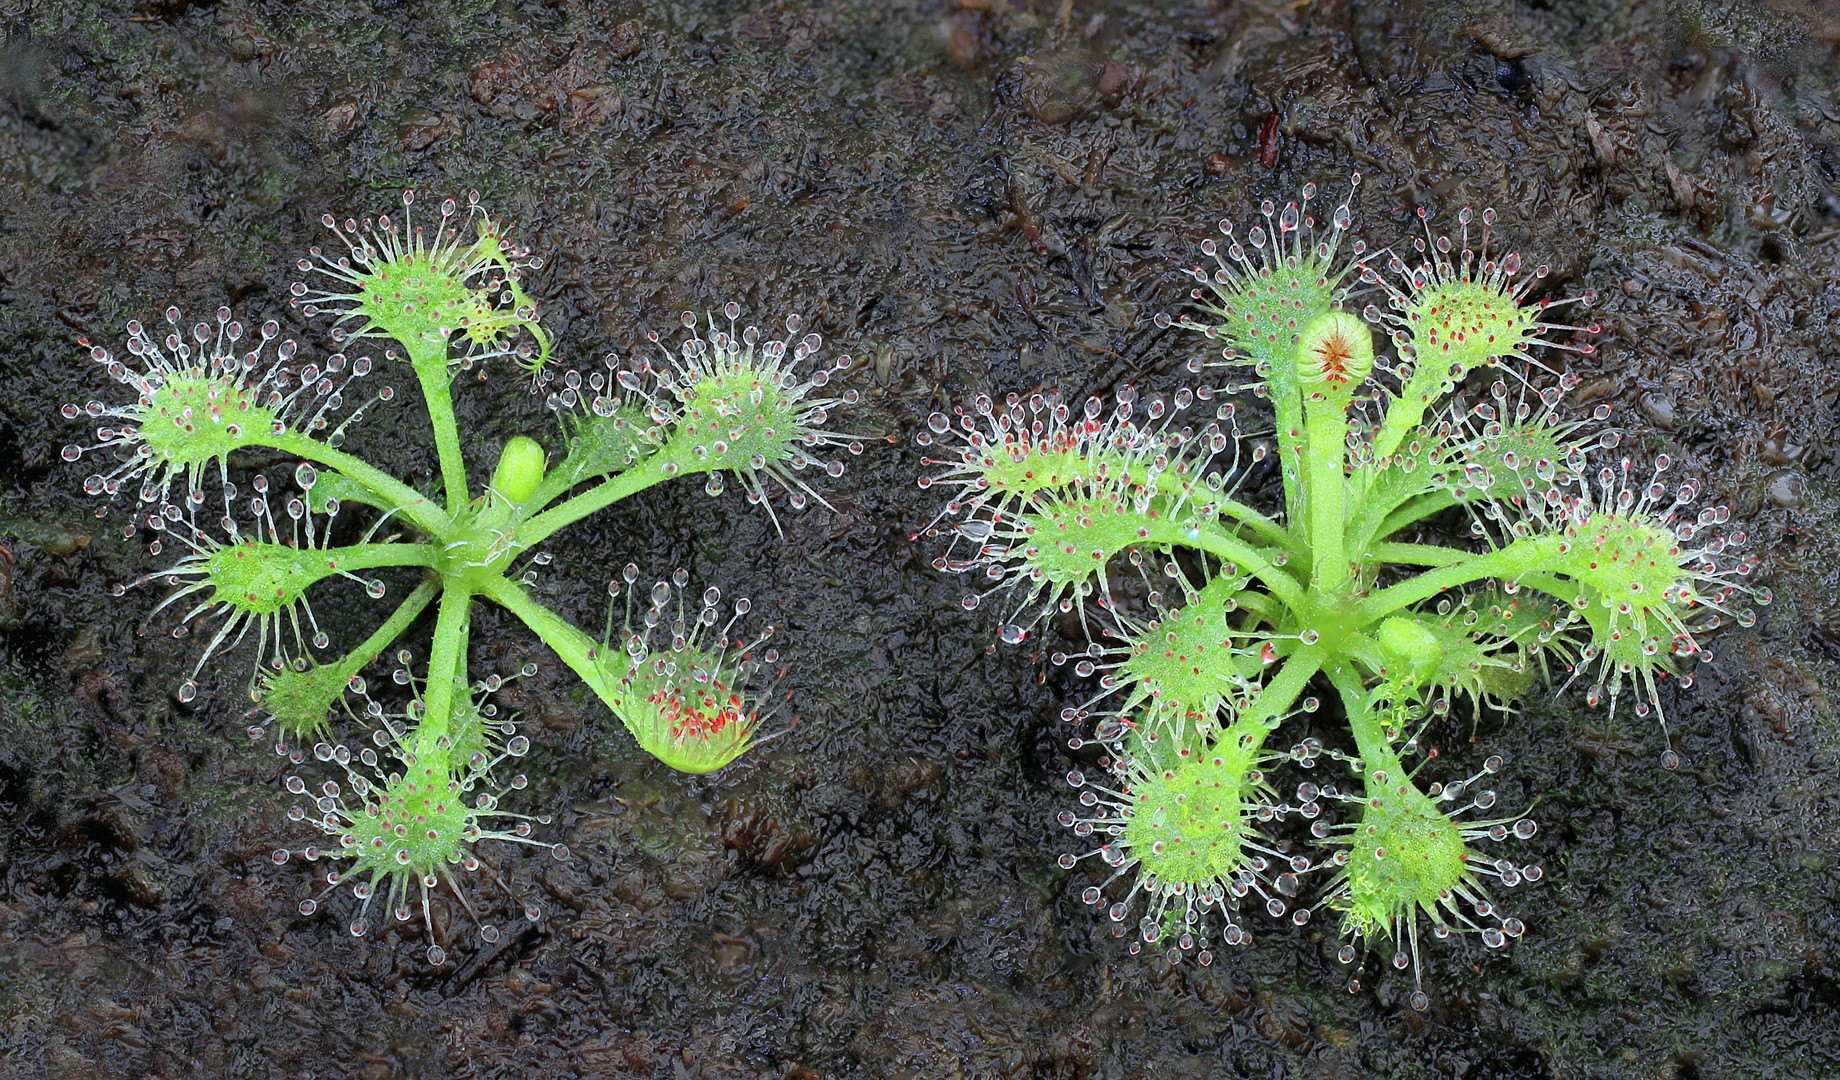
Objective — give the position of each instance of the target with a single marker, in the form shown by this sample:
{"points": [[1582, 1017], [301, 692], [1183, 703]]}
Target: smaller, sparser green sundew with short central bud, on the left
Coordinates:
{"points": [[443, 295]]}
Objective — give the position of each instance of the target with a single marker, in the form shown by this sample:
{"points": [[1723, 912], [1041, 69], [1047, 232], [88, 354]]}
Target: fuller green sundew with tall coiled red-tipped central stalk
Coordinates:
{"points": [[1215, 621]]}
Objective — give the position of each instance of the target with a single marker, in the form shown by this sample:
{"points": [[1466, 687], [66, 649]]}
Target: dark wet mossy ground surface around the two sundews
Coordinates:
{"points": [[971, 198]]}
